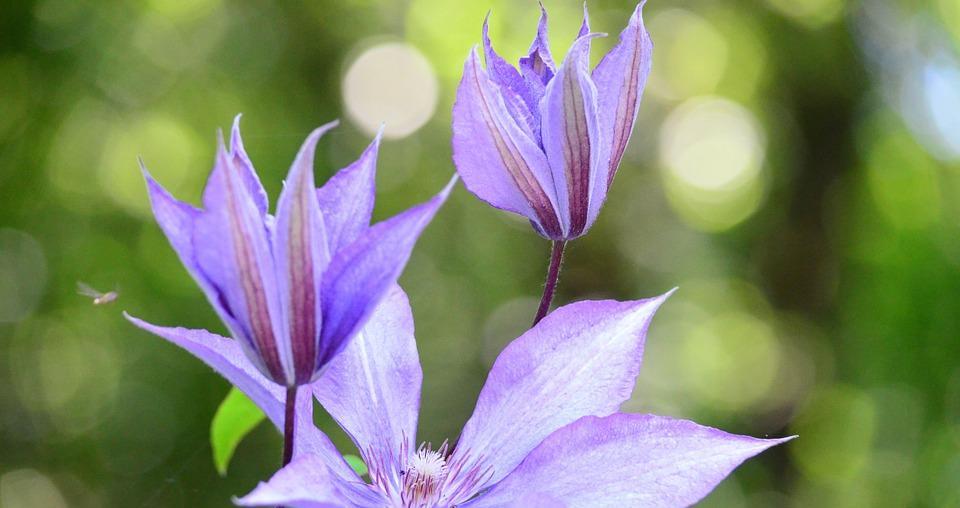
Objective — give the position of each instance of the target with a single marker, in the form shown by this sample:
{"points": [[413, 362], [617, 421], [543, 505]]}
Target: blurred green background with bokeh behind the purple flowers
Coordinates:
{"points": [[795, 171]]}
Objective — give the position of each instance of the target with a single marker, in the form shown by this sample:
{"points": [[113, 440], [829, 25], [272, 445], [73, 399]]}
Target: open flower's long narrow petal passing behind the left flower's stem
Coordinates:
{"points": [[225, 356]]}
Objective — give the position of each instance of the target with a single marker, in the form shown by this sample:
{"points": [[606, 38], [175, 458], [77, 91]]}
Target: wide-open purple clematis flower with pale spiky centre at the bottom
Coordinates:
{"points": [[546, 430]]}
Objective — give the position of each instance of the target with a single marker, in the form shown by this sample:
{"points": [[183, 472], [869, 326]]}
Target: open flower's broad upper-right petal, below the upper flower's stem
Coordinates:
{"points": [[582, 359]]}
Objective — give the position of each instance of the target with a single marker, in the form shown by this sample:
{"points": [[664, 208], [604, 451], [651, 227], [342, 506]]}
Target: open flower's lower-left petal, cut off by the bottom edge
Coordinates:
{"points": [[307, 483]]}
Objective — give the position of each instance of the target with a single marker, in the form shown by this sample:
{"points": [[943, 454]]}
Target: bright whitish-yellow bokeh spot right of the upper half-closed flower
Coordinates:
{"points": [[712, 152]]}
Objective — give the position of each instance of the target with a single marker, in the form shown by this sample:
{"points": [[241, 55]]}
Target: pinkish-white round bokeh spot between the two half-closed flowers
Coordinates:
{"points": [[391, 84]]}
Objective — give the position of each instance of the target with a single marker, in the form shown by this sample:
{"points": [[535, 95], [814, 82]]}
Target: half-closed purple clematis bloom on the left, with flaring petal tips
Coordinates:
{"points": [[295, 288]]}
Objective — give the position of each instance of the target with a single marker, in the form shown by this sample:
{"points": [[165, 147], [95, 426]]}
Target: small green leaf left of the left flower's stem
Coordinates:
{"points": [[235, 418]]}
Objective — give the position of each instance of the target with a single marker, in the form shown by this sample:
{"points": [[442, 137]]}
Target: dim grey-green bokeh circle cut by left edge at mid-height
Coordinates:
{"points": [[23, 275]]}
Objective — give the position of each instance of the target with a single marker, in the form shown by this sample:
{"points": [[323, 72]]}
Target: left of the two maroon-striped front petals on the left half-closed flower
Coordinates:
{"points": [[233, 251]]}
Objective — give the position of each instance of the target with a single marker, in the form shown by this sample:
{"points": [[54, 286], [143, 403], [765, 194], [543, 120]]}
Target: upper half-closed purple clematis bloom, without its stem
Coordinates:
{"points": [[545, 142]]}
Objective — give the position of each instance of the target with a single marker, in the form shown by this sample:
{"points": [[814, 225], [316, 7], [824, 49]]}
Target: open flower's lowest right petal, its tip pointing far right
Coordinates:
{"points": [[628, 460]]}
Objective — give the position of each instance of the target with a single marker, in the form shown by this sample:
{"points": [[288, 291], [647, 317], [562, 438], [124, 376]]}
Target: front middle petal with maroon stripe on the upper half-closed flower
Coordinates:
{"points": [[571, 137]]}
